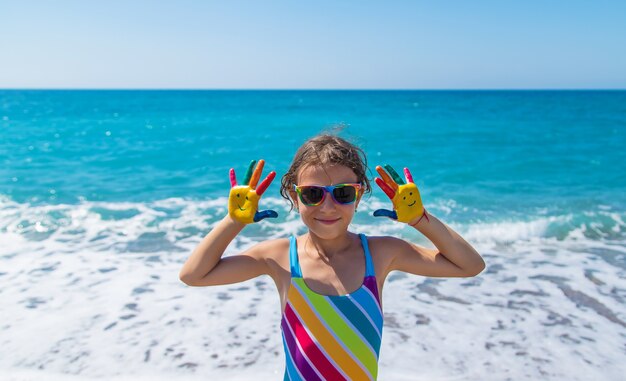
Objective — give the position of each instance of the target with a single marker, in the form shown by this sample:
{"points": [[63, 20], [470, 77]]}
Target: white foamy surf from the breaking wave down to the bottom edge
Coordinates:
{"points": [[88, 293]]}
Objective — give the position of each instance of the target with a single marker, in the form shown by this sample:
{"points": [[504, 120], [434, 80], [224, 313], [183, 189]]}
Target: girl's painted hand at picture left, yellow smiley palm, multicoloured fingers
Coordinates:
{"points": [[243, 201]]}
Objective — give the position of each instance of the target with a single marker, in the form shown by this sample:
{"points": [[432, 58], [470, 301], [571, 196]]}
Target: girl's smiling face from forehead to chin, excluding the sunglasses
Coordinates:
{"points": [[329, 219]]}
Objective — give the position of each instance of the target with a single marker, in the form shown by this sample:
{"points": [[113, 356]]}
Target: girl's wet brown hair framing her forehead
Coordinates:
{"points": [[325, 150]]}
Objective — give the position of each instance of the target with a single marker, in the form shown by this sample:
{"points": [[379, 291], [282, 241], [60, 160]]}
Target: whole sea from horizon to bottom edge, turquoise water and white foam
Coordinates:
{"points": [[105, 193]]}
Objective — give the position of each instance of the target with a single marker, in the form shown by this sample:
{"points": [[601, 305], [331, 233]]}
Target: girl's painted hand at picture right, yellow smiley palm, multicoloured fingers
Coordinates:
{"points": [[406, 199]]}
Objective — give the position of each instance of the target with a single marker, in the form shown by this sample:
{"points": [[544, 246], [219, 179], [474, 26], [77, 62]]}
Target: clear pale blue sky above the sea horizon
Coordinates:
{"points": [[340, 44]]}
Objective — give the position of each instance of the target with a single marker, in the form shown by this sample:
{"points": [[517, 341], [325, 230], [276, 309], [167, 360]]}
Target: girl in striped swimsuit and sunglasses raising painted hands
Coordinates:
{"points": [[331, 312]]}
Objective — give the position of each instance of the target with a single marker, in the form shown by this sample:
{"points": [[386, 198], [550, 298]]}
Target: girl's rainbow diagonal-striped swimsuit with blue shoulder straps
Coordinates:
{"points": [[331, 337]]}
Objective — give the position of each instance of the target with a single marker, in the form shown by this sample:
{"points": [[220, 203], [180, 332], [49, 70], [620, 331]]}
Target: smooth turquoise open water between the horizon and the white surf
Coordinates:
{"points": [[501, 155]]}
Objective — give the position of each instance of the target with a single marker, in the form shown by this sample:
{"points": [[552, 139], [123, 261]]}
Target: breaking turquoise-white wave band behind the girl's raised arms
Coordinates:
{"points": [[175, 224]]}
